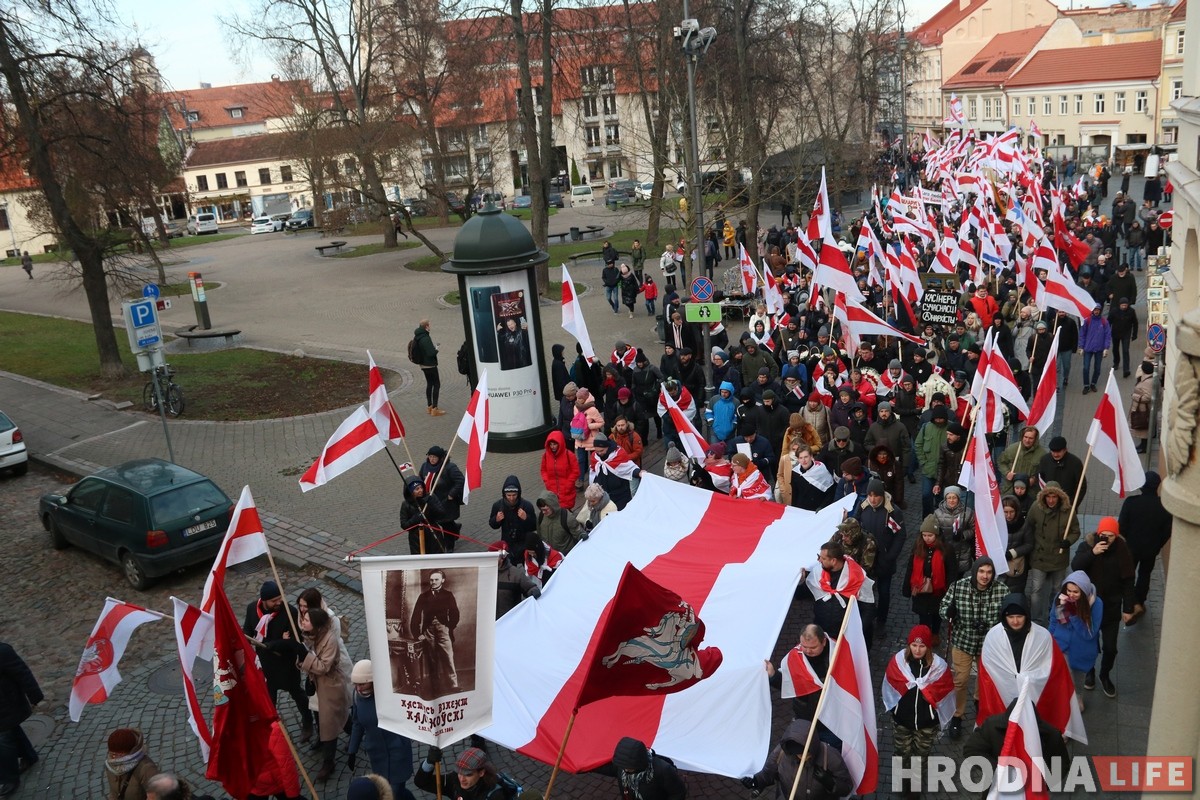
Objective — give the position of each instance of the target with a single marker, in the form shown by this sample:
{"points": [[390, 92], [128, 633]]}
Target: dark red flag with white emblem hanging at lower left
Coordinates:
{"points": [[242, 707]]}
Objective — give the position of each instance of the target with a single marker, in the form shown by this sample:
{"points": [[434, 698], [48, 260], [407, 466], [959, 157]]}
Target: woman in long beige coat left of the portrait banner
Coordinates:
{"points": [[328, 665]]}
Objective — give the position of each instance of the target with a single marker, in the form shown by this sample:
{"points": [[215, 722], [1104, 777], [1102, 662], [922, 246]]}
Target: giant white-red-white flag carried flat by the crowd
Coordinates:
{"points": [[736, 564]]}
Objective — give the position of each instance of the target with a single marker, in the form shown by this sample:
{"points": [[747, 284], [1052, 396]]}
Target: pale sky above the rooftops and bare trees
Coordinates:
{"points": [[190, 46]]}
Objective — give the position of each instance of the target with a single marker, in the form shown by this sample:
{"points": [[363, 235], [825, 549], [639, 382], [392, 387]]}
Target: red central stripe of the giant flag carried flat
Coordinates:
{"points": [[687, 569]]}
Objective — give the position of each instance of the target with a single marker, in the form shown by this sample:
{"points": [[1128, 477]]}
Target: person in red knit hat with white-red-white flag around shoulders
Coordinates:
{"points": [[919, 693]]}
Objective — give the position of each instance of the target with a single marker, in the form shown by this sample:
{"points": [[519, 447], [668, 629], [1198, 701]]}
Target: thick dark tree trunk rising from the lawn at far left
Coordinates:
{"points": [[87, 250]]}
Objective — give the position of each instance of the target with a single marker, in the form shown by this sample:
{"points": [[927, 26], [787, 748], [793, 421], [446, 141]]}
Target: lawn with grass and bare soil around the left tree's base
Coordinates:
{"points": [[237, 384]]}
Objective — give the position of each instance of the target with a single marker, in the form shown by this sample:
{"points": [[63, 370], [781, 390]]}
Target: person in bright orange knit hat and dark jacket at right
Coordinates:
{"points": [[1105, 556]]}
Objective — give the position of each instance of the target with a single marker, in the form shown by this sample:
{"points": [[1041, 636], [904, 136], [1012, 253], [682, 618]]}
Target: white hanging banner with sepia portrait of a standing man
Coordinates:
{"points": [[431, 629]]}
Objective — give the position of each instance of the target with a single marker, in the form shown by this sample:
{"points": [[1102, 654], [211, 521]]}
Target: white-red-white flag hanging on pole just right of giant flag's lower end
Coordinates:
{"points": [[849, 708]]}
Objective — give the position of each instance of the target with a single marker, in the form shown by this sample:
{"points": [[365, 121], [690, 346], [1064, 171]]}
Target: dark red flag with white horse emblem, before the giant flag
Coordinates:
{"points": [[647, 643]]}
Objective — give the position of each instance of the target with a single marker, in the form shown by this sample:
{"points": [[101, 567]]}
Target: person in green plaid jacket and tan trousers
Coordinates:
{"points": [[971, 607]]}
